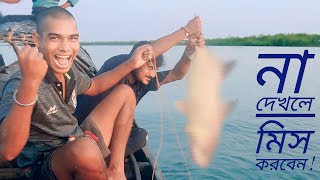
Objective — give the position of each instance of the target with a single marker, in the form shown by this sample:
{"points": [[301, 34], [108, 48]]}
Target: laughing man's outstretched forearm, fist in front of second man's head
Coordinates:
{"points": [[108, 79]]}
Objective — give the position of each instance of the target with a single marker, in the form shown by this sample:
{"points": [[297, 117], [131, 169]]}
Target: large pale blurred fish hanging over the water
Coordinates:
{"points": [[204, 108]]}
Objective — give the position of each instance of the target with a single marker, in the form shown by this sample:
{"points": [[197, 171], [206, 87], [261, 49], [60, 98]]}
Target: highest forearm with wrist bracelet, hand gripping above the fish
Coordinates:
{"points": [[163, 44]]}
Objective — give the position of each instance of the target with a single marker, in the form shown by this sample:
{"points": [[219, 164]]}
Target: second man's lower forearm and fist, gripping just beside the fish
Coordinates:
{"points": [[183, 65]]}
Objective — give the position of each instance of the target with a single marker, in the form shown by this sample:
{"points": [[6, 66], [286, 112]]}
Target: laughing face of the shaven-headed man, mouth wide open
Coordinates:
{"points": [[59, 44]]}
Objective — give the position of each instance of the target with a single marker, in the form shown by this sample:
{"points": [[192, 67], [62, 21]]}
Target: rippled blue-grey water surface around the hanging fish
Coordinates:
{"points": [[236, 155]]}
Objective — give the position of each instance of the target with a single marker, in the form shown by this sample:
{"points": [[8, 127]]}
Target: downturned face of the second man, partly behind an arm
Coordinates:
{"points": [[145, 73]]}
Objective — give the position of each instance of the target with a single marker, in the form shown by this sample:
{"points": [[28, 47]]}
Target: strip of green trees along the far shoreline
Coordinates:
{"points": [[261, 40]]}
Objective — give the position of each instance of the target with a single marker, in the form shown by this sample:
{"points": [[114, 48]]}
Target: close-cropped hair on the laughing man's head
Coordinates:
{"points": [[55, 12]]}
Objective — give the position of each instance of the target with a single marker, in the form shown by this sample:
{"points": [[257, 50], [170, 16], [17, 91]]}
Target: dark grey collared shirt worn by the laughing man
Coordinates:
{"points": [[52, 120]]}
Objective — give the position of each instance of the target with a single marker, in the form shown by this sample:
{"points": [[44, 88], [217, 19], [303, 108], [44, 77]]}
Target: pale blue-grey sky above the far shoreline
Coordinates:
{"points": [[105, 20]]}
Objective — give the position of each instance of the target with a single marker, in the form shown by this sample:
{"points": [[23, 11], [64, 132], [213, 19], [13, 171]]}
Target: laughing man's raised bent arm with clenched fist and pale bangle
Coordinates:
{"points": [[14, 130]]}
